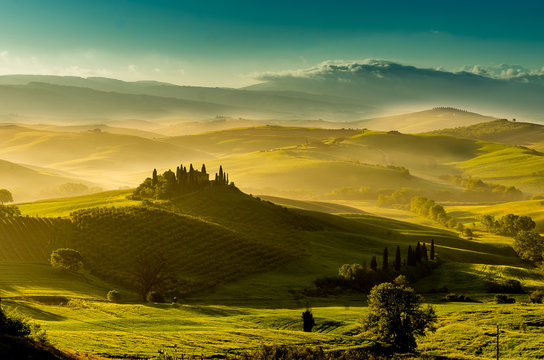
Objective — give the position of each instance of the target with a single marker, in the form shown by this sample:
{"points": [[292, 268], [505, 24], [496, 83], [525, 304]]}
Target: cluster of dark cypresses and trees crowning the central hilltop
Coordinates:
{"points": [[169, 184]]}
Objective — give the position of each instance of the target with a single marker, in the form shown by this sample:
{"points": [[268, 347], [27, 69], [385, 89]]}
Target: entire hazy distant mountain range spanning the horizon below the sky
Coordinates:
{"points": [[327, 93]]}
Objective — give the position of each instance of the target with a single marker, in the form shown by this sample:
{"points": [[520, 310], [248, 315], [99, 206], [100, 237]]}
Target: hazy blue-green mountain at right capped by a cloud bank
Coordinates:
{"points": [[389, 85]]}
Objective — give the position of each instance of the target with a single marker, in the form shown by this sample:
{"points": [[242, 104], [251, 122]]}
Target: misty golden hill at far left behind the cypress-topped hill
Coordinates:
{"points": [[104, 157]]}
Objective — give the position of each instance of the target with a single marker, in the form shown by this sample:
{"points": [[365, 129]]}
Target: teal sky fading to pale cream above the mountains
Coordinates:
{"points": [[230, 43]]}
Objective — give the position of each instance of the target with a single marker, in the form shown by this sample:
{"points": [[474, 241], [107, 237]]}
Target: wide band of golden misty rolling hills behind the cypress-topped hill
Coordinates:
{"points": [[282, 161]]}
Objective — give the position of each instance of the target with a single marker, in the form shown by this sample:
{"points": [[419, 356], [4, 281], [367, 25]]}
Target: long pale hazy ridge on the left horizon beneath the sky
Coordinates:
{"points": [[114, 98]]}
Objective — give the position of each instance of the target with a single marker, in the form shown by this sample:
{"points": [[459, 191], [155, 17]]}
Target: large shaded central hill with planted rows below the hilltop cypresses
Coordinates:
{"points": [[220, 236]]}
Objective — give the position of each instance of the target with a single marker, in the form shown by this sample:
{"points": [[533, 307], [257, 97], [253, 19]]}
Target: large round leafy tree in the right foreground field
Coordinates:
{"points": [[396, 317]]}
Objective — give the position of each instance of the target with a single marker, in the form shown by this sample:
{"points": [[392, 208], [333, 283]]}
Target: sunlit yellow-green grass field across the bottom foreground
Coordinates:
{"points": [[89, 324]]}
